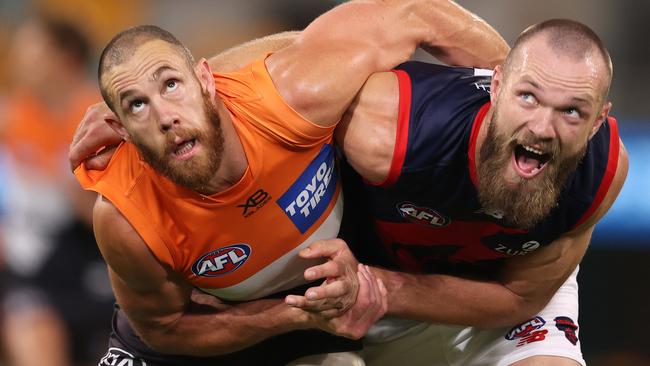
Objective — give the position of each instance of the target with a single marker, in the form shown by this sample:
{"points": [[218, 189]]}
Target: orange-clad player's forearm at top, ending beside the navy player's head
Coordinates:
{"points": [[459, 37]]}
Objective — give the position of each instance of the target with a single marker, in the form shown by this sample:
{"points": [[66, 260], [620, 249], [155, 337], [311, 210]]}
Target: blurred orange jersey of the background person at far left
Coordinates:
{"points": [[39, 138]]}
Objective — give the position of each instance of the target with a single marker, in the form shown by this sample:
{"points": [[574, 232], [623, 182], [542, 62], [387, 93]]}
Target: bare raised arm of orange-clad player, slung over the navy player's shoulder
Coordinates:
{"points": [[320, 73]]}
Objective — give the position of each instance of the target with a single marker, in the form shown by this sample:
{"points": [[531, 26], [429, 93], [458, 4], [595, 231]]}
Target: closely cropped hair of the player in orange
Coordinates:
{"points": [[124, 45]]}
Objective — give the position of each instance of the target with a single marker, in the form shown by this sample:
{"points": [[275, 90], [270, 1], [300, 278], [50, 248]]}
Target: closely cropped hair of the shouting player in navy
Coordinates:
{"points": [[567, 38]]}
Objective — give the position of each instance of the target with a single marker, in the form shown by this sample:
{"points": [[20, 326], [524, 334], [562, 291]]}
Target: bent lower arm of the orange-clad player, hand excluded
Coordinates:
{"points": [[158, 303]]}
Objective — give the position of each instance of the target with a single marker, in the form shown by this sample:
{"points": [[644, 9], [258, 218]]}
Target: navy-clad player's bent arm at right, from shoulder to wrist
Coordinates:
{"points": [[523, 288]]}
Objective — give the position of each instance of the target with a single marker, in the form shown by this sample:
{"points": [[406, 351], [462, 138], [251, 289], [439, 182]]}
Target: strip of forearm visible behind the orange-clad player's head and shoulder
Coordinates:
{"points": [[239, 56]]}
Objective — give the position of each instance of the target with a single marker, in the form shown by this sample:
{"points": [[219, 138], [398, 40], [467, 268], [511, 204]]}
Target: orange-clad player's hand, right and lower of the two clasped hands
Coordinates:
{"points": [[370, 305]]}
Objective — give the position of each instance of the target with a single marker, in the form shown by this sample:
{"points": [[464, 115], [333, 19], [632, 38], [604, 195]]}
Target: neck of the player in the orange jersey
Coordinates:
{"points": [[234, 163]]}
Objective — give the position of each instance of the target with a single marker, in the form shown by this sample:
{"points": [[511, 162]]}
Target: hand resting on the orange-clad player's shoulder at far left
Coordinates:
{"points": [[95, 141]]}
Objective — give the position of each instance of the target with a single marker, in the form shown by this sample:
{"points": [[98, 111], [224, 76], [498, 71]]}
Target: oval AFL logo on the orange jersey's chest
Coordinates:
{"points": [[221, 261]]}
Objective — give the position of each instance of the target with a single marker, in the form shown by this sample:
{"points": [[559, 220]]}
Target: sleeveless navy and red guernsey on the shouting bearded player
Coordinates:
{"points": [[427, 214]]}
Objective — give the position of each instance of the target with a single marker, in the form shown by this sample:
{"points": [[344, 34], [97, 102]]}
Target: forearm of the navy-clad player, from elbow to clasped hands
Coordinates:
{"points": [[454, 300]]}
